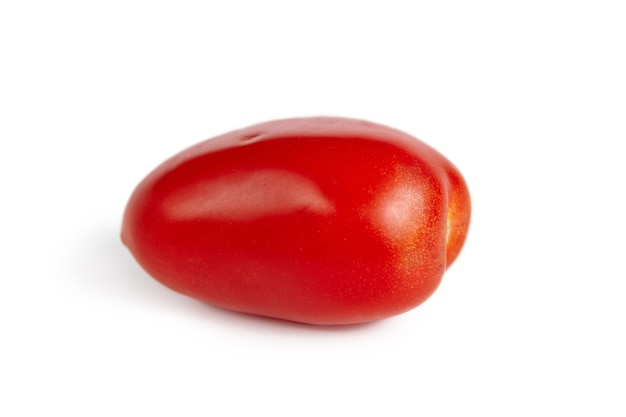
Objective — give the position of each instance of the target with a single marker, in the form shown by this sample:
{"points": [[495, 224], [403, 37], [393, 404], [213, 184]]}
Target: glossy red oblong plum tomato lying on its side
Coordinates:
{"points": [[315, 220]]}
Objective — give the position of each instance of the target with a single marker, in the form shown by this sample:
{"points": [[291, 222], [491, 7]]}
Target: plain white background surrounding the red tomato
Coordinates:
{"points": [[527, 98]]}
